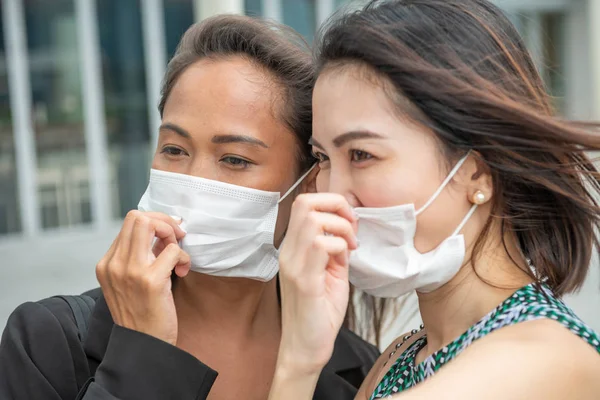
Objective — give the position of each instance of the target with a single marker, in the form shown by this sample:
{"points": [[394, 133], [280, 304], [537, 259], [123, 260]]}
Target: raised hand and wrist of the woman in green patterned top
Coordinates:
{"points": [[314, 280]]}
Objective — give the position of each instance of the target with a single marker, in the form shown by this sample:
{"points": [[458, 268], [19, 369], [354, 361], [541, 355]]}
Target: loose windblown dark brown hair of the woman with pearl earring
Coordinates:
{"points": [[465, 70]]}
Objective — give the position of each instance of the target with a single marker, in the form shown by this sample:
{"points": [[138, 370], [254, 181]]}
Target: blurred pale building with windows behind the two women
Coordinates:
{"points": [[79, 85]]}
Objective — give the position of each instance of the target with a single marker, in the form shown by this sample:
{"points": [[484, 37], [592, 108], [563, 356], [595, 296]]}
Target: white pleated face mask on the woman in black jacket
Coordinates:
{"points": [[229, 228]]}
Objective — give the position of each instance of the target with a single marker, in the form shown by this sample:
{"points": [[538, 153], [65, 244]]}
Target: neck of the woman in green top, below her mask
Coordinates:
{"points": [[449, 311]]}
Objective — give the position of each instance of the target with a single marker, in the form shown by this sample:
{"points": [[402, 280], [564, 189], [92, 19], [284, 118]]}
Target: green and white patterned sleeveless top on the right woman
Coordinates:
{"points": [[526, 304]]}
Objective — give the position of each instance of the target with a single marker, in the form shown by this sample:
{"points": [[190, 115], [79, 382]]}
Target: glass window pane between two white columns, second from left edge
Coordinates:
{"points": [[57, 112]]}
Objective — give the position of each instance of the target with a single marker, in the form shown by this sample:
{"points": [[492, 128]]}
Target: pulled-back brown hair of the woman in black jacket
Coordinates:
{"points": [[275, 48]]}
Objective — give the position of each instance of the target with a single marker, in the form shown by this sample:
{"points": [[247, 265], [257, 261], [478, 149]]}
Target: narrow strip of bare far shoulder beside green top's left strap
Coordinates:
{"points": [[384, 362]]}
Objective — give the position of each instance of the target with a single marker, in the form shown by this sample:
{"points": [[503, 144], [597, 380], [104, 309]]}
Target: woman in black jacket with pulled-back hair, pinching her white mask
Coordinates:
{"points": [[232, 155]]}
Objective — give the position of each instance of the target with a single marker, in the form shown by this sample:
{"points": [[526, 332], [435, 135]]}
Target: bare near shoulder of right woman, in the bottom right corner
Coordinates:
{"points": [[534, 359]]}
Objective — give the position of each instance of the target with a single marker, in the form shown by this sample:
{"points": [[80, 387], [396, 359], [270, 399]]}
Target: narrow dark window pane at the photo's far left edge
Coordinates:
{"points": [[10, 221]]}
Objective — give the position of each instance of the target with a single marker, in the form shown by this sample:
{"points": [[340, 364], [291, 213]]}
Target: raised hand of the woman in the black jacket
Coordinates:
{"points": [[136, 281]]}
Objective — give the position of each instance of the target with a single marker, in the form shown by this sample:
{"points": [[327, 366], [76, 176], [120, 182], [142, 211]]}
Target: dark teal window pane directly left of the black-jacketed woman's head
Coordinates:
{"points": [[124, 80]]}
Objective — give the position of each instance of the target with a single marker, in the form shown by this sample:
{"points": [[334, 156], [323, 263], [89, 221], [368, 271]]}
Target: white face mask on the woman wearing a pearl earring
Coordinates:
{"points": [[387, 264]]}
